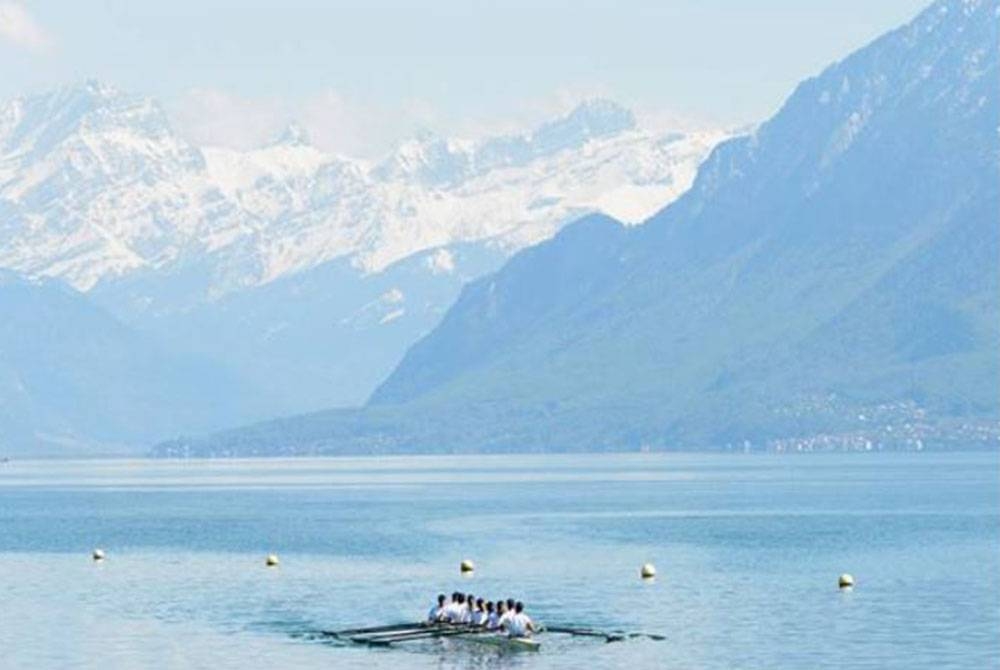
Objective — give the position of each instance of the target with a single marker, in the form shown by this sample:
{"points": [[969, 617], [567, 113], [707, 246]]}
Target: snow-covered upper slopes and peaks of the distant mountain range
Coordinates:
{"points": [[95, 185]]}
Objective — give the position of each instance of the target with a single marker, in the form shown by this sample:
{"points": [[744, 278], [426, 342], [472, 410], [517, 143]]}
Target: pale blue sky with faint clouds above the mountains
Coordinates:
{"points": [[361, 76]]}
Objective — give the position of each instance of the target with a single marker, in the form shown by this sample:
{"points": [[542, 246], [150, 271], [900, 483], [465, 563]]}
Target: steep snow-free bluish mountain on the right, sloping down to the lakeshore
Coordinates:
{"points": [[830, 280]]}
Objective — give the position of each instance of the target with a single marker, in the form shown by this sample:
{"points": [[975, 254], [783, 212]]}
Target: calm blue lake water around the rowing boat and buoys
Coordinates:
{"points": [[748, 550]]}
